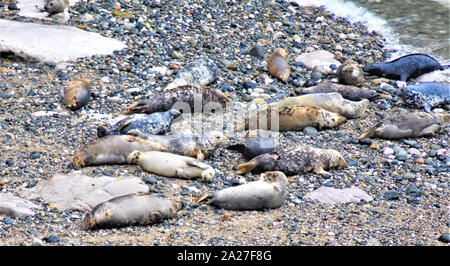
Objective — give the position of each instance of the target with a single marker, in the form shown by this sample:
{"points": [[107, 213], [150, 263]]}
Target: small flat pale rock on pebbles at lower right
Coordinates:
{"points": [[333, 195]]}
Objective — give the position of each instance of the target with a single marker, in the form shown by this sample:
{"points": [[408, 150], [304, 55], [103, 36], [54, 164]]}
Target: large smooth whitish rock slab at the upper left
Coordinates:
{"points": [[52, 43]]}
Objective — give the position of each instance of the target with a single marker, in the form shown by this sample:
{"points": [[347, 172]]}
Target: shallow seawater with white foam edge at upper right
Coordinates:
{"points": [[408, 25]]}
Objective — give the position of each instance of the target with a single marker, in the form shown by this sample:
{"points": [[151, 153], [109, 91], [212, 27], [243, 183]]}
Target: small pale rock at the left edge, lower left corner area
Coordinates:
{"points": [[14, 206]]}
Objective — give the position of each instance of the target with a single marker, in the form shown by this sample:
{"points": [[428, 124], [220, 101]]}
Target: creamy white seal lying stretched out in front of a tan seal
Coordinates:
{"points": [[172, 165]]}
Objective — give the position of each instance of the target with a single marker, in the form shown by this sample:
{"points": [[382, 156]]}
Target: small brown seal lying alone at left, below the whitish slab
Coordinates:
{"points": [[77, 94]]}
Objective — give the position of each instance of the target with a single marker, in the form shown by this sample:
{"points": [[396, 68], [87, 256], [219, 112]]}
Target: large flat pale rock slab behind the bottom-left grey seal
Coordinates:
{"points": [[76, 191]]}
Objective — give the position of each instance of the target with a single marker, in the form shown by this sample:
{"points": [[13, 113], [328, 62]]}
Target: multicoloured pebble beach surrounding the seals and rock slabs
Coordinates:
{"points": [[408, 179]]}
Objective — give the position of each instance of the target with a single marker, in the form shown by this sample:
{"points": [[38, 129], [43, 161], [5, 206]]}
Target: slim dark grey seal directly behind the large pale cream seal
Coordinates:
{"points": [[348, 92]]}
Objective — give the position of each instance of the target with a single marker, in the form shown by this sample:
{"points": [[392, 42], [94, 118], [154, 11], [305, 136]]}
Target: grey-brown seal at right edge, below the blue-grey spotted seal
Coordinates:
{"points": [[407, 125]]}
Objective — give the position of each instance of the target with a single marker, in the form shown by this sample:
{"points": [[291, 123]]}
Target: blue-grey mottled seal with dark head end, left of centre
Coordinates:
{"points": [[155, 123]]}
